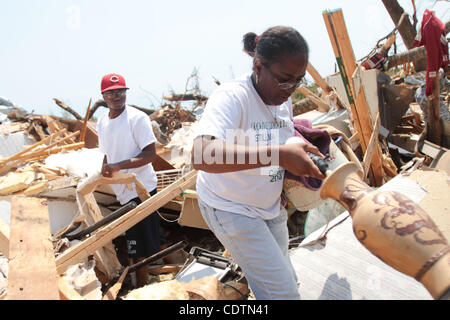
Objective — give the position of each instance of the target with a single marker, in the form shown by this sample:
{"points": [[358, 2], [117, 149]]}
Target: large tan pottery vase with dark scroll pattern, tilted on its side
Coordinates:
{"points": [[393, 227]]}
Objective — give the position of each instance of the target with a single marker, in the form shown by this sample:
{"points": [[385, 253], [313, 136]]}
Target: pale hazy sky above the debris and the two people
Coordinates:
{"points": [[61, 49]]}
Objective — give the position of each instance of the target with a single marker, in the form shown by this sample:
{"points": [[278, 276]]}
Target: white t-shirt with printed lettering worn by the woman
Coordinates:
{"points": [[236, 113]]}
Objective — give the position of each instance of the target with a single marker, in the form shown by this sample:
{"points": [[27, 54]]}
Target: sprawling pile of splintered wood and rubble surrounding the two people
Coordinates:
{"points": [[375, 110]]}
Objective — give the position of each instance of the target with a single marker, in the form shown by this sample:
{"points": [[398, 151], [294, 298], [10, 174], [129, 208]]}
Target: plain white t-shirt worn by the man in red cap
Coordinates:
{"points": [[123, 138]]}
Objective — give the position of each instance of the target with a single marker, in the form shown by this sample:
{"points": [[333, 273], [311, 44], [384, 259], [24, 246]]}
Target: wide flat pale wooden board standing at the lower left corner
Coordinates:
{"points": [[31, 269]]}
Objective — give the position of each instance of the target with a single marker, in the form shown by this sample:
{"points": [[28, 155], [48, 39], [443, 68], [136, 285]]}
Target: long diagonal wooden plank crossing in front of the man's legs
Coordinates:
{"points": [[107, 233]]}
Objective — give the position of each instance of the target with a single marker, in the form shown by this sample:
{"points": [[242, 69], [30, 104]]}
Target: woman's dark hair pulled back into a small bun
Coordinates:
{"points": [[275, 44]]}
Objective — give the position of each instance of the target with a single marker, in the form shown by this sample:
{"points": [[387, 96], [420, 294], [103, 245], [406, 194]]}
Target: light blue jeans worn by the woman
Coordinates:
{"points": [[260, 248]]}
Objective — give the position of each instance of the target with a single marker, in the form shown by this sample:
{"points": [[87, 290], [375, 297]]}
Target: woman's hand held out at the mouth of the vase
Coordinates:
{"points": [[294, 158]]}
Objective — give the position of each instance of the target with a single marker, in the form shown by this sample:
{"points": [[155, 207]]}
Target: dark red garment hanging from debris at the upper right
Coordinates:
{"points": [[432, 36]]}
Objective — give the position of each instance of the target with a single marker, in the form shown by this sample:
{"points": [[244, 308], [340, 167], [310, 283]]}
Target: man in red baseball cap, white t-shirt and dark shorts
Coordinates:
{"points": [[126, 138]]}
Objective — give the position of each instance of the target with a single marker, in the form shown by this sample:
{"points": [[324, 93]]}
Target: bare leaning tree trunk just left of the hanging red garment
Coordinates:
{"points": [[406, 29]]}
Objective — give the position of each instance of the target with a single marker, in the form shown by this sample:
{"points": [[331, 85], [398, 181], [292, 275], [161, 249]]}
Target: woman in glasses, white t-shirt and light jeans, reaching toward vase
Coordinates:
{"points": [[241, 153]]}
